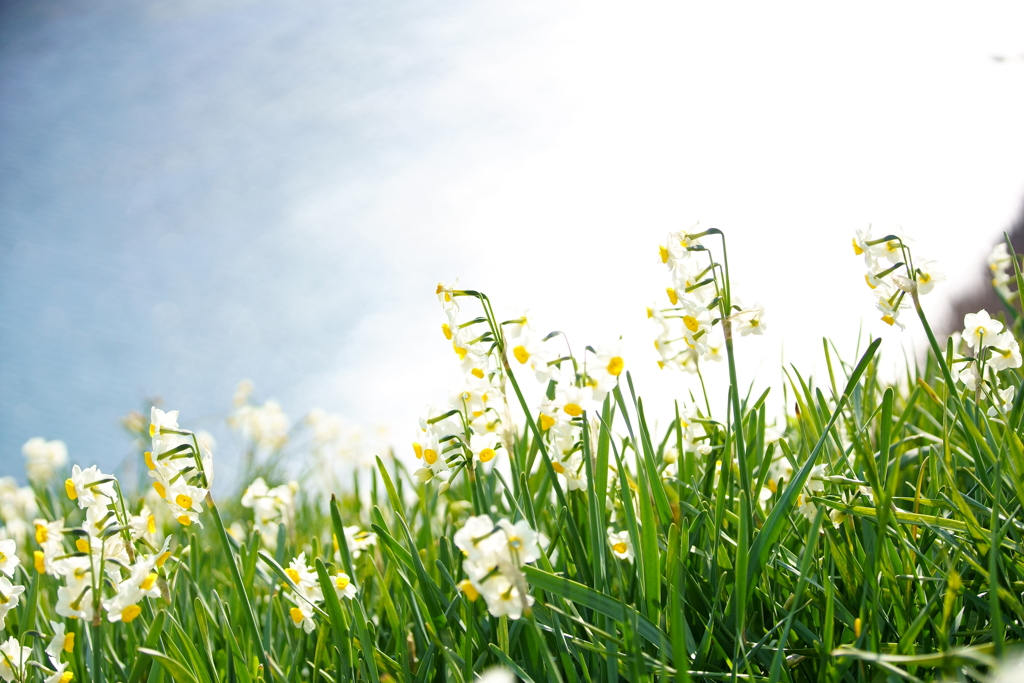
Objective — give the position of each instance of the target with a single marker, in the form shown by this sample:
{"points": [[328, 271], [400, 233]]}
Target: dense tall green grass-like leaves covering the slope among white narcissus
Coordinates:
{"points": [[876, 536]]}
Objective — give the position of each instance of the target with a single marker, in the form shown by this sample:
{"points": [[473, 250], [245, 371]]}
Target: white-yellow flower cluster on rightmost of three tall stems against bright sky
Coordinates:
{"points": [[892, 274]]}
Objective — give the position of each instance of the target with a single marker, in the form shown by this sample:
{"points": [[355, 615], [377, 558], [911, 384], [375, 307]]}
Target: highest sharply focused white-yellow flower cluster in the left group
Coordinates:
{"points": [[182, 466]]}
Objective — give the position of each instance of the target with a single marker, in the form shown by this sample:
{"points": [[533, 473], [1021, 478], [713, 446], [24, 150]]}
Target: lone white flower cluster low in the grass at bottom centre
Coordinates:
{"points": [[495, 556]]}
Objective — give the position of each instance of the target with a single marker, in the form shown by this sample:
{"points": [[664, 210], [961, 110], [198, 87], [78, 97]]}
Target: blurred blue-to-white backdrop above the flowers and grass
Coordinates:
{"points": [[200, 192]]}
